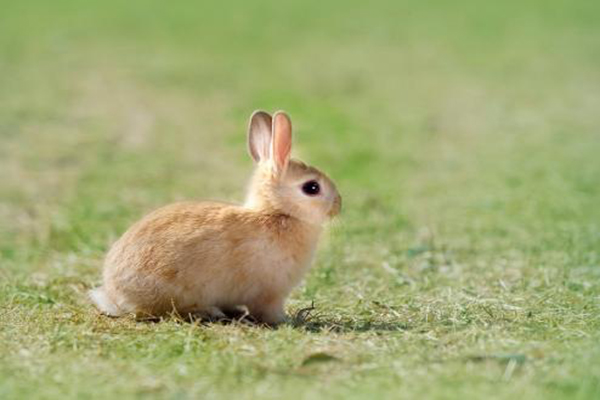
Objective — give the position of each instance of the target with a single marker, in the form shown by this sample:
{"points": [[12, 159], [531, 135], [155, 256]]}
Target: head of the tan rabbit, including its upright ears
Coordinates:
{"points": [[285, 185]]}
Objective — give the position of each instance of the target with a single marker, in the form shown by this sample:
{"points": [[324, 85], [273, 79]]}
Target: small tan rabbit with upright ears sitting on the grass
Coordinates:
{"points": [[208, 258]]}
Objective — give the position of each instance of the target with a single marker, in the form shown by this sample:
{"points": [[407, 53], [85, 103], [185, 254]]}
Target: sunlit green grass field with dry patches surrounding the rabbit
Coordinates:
{"points": [[464, 137]]}
